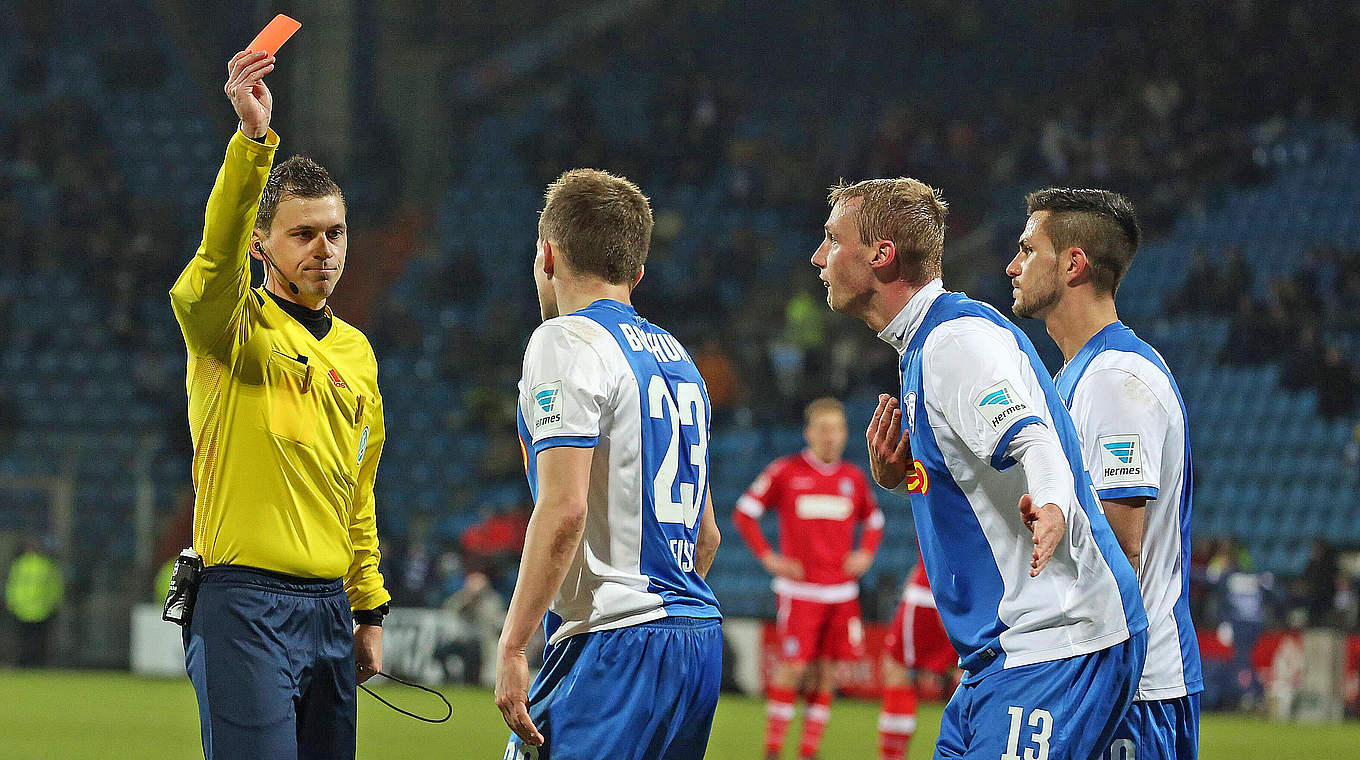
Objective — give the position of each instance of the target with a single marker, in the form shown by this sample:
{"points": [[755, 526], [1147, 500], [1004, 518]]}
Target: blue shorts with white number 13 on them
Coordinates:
{"points": [[1066, 709]]}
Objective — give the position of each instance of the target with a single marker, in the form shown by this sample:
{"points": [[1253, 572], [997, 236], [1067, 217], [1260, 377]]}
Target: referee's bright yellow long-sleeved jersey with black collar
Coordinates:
{"points": [[288, 429]]}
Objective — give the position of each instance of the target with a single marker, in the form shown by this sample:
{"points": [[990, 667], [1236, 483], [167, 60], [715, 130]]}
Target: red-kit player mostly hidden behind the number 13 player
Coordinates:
{"points": [[917, 651]]}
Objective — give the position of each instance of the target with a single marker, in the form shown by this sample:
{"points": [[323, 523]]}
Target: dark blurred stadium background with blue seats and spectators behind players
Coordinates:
{"points": [[1231, 127]]}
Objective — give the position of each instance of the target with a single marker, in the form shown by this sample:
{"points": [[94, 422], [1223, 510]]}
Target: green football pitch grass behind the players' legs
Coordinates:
{"points": [[73, 716]]}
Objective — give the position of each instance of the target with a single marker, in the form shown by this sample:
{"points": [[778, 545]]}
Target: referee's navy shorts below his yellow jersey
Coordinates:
{"points": [[271, 659]]}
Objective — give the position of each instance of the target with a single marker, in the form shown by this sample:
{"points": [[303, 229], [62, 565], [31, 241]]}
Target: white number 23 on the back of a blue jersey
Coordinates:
{"points": [[689, 444]]}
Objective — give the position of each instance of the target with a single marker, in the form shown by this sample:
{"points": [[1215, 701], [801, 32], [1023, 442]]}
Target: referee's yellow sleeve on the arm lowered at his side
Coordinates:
{"points": [[364, 583]]}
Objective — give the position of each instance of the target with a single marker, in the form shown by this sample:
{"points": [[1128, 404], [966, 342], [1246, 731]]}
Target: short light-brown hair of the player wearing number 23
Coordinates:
{"points": [[602, 222]]}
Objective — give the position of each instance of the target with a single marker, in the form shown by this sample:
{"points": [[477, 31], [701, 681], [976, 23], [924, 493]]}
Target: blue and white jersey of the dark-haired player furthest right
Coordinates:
{"points": [[1132, 422]]}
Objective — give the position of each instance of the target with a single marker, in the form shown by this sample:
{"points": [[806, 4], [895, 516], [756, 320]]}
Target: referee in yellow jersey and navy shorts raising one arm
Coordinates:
{"points": [[288, 429]]}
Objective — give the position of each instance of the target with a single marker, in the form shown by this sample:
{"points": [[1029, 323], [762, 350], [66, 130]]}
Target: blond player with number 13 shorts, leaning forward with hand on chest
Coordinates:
{"points": [[1030, 583]]}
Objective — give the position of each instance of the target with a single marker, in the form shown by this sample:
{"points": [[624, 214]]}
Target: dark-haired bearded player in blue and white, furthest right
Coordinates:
{"points": [[1128, 411]]}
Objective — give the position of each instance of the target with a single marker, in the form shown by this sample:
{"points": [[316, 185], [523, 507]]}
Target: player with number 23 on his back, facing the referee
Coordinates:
{"points": [[614, 419]]}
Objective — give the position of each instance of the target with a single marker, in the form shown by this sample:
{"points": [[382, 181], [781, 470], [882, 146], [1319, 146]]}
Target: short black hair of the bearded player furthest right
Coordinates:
{"points": [[1101, 224]]}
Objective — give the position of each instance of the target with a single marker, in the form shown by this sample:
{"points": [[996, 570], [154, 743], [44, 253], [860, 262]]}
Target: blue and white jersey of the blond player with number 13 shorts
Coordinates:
{"points": [[970, 383]]}
